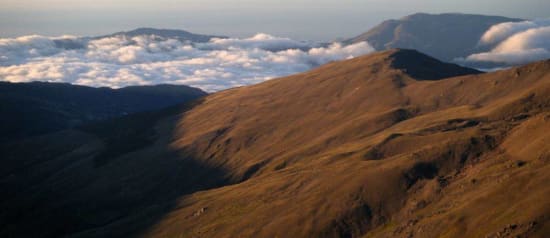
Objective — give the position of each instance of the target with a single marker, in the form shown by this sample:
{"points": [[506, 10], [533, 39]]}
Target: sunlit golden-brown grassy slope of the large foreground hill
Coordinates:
{"points": [[356, 145]]}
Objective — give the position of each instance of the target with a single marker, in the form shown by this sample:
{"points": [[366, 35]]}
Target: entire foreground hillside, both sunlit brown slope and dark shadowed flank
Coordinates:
{"points": [[368, 147]]}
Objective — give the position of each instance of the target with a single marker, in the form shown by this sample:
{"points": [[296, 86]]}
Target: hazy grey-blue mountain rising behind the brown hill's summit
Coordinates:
{"points": [[444, 36]]}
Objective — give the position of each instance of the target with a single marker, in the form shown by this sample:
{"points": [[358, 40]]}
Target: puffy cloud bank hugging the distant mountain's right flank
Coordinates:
{"points": [[515, 43]]}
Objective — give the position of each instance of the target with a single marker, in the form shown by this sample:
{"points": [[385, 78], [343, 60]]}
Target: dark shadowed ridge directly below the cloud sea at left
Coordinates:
{"points": [[35, 108]]}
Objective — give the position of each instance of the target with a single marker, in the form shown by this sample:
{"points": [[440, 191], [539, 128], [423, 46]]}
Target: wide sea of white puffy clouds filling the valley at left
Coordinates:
{"points": [[121, 61]]}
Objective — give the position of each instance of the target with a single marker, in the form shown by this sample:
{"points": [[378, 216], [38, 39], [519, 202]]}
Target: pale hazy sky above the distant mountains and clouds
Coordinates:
{"points": [[299, 19]]}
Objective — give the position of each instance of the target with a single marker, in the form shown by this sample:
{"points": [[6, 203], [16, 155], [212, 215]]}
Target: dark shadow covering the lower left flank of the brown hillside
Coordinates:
{"points": [[118, 186]]}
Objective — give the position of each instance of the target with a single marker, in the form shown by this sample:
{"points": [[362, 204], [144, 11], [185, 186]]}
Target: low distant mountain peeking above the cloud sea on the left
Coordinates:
{"points": [[166, 33]]}
